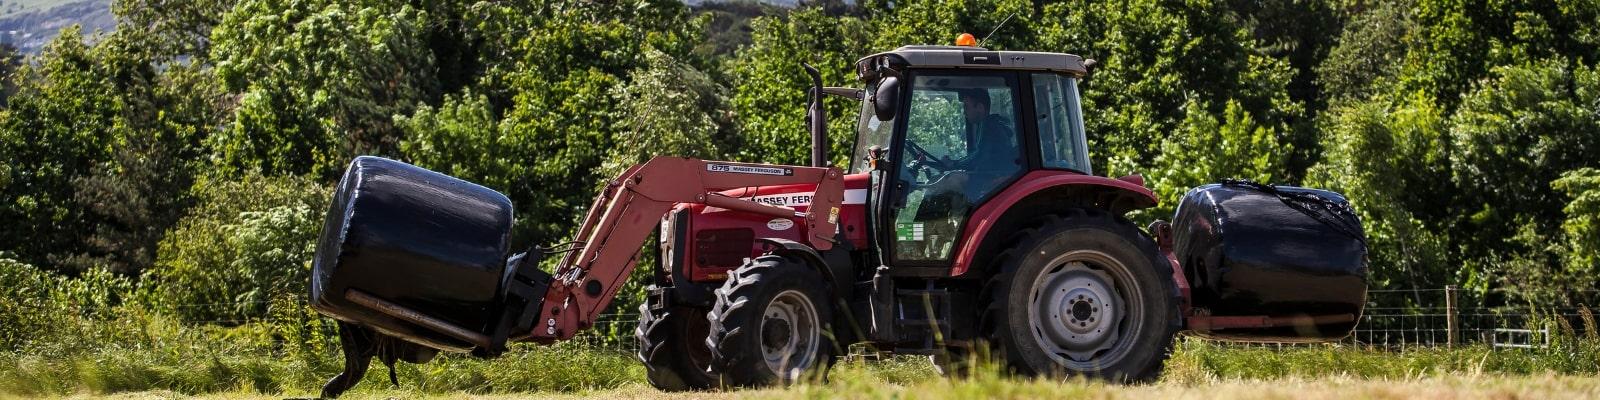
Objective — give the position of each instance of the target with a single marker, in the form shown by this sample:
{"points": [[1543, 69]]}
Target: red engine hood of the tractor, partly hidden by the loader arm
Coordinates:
{"points": [[718, 241]]}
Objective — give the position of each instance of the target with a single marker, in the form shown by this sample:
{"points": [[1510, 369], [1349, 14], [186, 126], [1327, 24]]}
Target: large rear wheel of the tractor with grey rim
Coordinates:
{"points": [[1086, 294]]}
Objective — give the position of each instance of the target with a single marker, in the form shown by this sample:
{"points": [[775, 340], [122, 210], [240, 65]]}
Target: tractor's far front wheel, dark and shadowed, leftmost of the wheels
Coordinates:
{"points": [[671, 348]]}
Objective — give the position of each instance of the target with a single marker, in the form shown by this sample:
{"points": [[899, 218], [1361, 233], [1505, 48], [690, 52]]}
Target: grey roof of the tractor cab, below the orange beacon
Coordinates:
{"points": [[924, 57]]}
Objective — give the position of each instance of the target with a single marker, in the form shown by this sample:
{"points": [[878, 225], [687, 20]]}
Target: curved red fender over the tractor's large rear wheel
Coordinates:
{"points": [[985, 217]]}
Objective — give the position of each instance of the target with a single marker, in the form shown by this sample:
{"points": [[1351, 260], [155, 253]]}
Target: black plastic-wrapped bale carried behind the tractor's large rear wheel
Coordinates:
{"points": [[1295, 257]]}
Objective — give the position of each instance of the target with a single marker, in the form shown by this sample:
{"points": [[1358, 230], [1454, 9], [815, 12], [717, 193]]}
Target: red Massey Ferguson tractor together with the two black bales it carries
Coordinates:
{"points": [[969, 218]]}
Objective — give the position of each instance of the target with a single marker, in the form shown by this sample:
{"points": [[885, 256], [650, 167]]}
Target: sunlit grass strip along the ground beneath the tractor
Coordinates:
{"points": [[1198, 370]]}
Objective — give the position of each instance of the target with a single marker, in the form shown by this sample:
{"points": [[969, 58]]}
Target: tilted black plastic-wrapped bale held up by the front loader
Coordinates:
{"points": [[430, 244]]}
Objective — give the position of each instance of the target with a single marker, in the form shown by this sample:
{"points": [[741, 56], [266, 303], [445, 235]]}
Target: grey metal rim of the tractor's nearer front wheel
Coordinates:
{"points": [[790, 334]]}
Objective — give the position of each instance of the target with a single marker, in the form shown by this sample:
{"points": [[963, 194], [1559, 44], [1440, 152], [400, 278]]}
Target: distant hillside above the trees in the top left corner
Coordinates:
{"points": [[31, 25]]}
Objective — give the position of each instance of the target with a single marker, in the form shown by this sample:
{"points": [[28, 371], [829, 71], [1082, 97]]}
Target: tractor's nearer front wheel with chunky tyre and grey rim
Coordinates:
{"points": [[772, 324]]}
